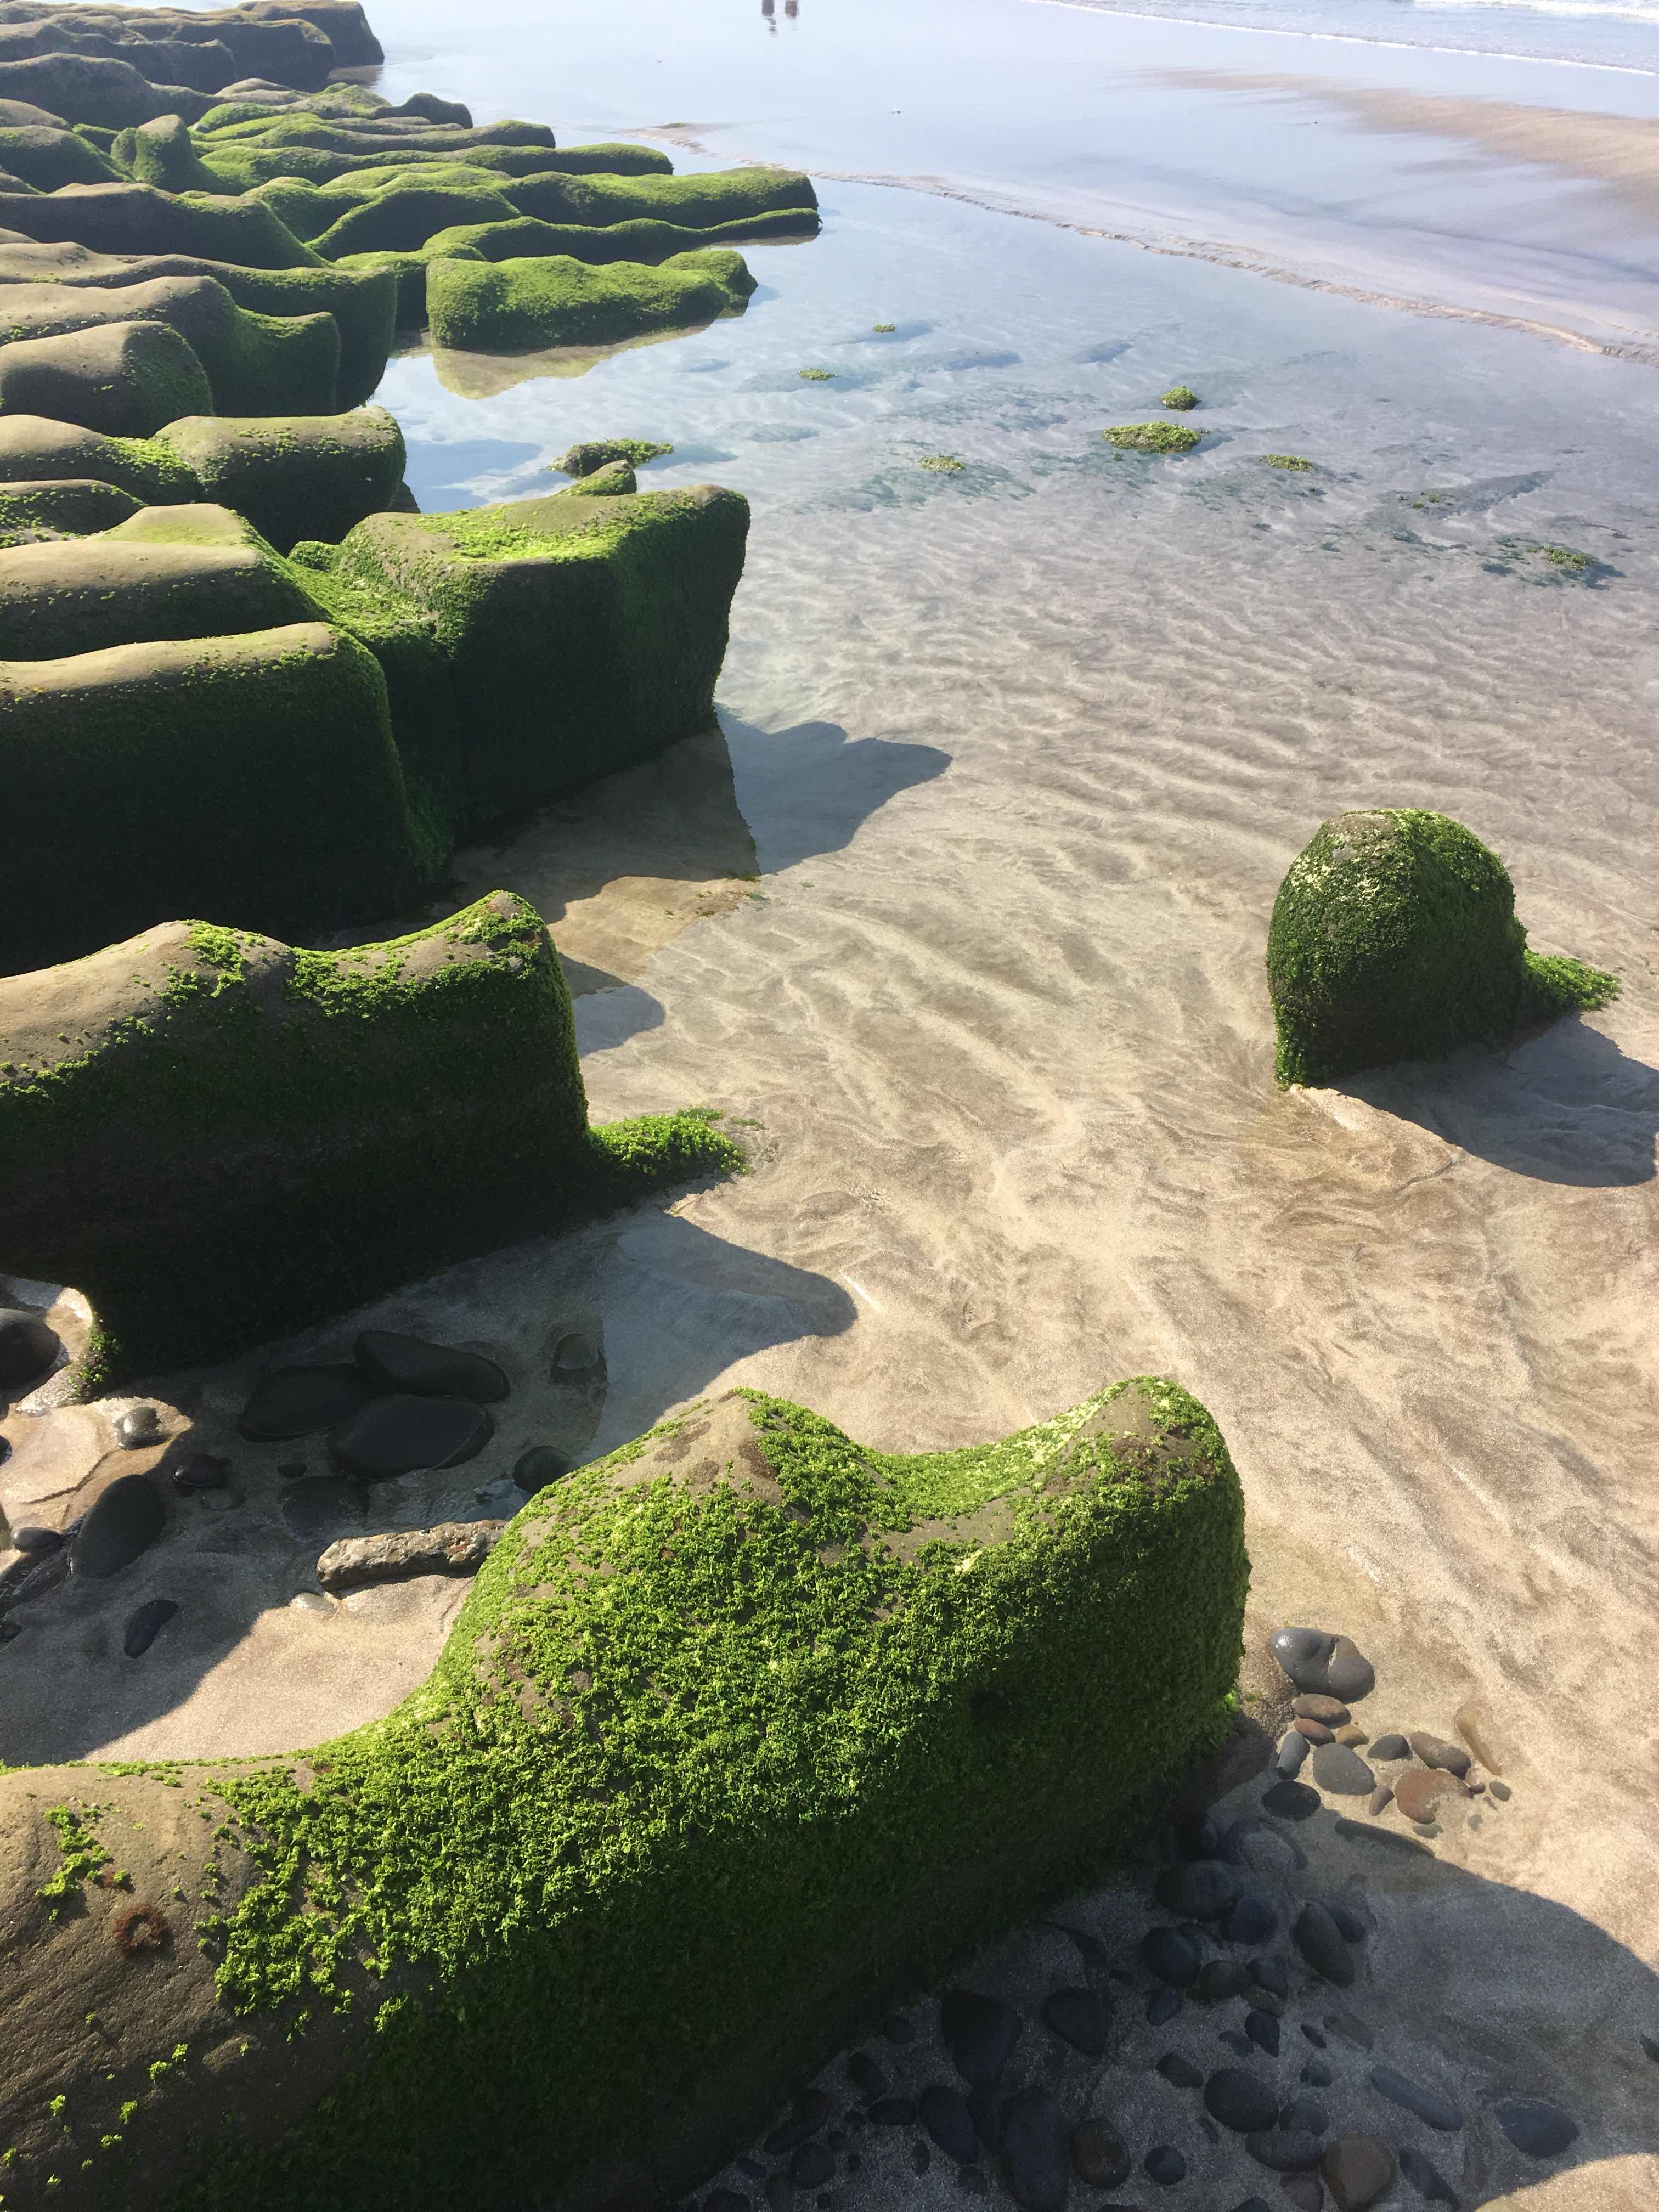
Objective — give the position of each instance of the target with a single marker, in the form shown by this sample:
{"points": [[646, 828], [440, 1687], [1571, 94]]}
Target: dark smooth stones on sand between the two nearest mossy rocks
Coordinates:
{"points": [[401, 1406]]}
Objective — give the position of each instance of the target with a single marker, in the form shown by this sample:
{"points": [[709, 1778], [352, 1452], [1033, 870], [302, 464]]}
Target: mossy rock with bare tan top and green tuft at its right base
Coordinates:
{"points": [[220, 1138]]}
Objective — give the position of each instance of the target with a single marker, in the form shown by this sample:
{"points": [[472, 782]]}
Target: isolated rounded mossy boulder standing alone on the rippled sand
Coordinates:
{"points": [[1395, 937]]}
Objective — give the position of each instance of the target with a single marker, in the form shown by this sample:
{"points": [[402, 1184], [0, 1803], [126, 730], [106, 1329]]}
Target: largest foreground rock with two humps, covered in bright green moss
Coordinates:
{"points": [[740, 1733]]}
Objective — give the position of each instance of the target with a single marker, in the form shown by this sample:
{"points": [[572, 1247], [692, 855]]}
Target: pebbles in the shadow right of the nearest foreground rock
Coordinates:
{"points": [[1211, 2036]]}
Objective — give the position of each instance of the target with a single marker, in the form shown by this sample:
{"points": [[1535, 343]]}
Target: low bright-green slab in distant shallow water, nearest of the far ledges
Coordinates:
{"points": [[523, 306]]}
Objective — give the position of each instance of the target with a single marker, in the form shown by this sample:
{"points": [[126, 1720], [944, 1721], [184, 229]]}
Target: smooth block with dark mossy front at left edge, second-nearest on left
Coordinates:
{"points": [[249, 775]]}
